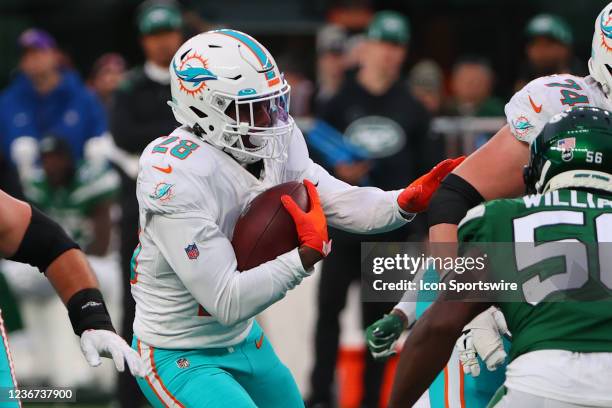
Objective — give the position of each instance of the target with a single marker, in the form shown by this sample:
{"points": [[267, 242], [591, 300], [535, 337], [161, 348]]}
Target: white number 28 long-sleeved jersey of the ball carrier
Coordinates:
{"points": [[188, 292]]}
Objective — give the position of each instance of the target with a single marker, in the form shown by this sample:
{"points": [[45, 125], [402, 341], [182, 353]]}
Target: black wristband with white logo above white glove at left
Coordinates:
{"points": [[87, 310]]}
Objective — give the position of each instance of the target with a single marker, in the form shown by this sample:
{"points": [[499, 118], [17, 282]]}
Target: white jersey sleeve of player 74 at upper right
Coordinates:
{"points": [[534, 105]]}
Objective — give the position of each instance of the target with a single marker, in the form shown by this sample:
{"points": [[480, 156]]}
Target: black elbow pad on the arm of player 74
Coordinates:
{"points": [[452, 200]]}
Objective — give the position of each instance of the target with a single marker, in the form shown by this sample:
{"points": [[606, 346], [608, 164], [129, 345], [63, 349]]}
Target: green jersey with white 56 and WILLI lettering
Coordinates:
{"points": [[558, 284]]}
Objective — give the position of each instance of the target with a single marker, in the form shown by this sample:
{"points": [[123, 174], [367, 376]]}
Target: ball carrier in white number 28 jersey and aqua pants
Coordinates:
{"points": [[195, 312]]}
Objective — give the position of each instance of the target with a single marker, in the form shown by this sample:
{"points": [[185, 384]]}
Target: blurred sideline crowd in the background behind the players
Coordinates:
{"points": [[381, 89]]}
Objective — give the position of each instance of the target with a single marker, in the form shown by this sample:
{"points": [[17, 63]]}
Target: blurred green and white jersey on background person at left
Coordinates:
{"points": [[72, 206]]}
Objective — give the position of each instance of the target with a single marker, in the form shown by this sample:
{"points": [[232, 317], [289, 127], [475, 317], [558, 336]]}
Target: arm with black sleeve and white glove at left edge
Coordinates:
{"points": [[27, 235]]}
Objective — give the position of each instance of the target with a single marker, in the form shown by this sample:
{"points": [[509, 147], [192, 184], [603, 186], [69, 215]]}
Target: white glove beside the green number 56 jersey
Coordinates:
{"points": [[482, 337]]}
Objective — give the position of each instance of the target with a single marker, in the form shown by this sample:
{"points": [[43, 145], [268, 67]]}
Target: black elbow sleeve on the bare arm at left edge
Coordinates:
{"points": [[43, 242]]}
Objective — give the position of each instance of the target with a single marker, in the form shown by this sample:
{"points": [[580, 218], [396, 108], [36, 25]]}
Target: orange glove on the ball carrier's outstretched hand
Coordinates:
{"points": [[415, 198]]}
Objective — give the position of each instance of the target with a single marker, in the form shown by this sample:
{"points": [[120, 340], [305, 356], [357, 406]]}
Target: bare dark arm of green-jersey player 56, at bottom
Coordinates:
{"points": [[428, 349]]}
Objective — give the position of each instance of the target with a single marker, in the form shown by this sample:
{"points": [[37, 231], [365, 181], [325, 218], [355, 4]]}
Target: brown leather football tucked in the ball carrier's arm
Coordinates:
{"points": [[265, 229]]}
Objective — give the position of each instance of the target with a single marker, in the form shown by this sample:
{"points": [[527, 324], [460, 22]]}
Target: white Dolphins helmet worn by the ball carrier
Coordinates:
{"points": [[227, 88]]}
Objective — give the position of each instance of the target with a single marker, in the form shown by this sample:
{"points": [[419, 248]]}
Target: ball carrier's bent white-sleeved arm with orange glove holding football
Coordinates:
{"points": [[211, 277]]}
